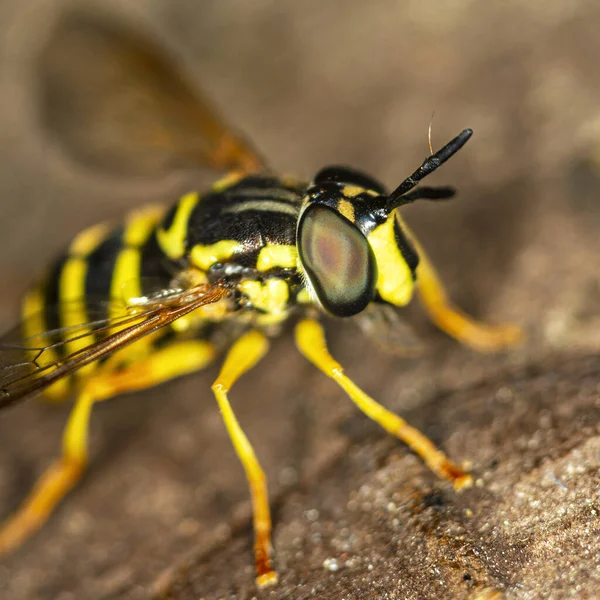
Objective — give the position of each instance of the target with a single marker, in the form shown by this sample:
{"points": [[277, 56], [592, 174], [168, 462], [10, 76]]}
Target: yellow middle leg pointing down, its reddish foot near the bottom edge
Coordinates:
{"points": [[244, 354]]}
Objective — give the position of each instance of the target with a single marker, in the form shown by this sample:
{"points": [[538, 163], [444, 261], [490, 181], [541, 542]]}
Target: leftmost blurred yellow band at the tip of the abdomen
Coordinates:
{"points": [[34, 326]]}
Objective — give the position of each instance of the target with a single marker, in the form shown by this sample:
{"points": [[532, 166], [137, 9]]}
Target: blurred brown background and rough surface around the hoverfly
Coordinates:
{"points": [[163, 510]]}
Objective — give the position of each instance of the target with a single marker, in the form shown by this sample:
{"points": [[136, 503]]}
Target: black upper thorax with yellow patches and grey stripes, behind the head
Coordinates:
{"points": [[233, 223]]}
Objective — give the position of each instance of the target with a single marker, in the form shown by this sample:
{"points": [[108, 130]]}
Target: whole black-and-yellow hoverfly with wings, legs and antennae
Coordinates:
{"points": [[132, 304]]}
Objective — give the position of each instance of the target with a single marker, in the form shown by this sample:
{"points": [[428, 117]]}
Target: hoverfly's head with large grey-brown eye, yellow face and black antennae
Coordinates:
{"points": [[351, 244]]}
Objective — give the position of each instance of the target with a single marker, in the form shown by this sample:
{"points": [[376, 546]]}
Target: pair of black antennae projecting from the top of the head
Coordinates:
{"points": [[399, 196]]}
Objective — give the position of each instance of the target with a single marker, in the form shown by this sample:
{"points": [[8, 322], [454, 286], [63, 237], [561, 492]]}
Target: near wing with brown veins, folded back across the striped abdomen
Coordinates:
{"points": [[29, 364]]}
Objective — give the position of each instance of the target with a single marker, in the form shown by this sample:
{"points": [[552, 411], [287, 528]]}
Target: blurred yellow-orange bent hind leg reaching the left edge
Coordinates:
{"points": [[65, 472]]}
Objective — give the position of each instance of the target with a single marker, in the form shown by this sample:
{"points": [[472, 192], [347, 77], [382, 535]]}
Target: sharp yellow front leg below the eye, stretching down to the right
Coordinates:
{"points": [[310, 340]]}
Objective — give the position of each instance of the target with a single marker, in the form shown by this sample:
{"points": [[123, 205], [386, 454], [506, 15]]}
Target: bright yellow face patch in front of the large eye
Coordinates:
{"points": [[394, 282]]}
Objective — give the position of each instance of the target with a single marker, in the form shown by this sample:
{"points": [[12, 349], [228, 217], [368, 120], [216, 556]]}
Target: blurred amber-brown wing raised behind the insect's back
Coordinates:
{"points": [[116, 103]]}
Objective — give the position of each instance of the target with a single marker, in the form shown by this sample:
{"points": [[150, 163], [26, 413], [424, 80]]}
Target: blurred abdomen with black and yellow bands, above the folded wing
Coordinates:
{"points": [[92, 281]]}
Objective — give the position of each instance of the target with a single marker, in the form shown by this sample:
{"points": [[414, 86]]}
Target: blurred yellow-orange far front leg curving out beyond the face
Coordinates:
{"points": [[433, 297]]}
